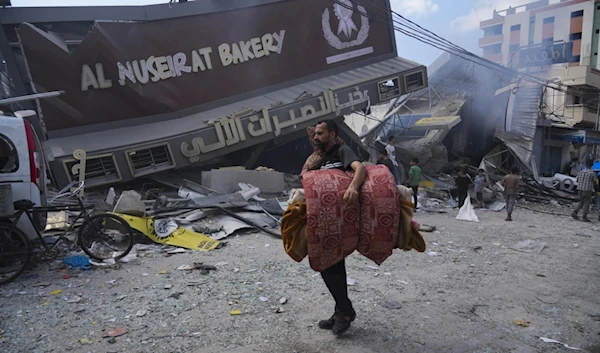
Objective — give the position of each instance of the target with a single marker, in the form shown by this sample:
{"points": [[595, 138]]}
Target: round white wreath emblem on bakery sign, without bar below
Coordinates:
{"points": [[343, 10]]}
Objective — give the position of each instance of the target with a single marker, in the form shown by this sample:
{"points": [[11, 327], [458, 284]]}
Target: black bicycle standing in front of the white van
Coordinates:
{"points": [[101, 236]]}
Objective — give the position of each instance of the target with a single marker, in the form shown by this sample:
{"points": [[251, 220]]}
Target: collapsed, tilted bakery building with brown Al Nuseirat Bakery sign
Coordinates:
{"points": [[150, 89]]}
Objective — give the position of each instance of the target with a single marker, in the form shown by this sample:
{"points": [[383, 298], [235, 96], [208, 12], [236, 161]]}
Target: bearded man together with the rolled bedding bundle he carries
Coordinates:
{"points": [[345, 207]]}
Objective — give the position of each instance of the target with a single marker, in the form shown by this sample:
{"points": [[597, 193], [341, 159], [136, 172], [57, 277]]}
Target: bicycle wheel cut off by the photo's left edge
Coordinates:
{"points": [[15, 253]]}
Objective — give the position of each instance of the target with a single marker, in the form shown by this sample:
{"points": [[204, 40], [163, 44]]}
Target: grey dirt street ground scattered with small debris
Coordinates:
{"points": [[465, 300]]}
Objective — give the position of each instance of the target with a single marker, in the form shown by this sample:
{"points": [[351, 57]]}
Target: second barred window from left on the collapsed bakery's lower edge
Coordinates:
{"points": [[150, 160]]}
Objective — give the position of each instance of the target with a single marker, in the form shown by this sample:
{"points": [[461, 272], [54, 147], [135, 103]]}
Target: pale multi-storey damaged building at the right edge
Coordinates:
{"points": [[553, 128]]}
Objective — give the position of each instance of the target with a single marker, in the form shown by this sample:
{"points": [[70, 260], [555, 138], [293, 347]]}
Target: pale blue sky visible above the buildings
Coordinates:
{"points": [[454, 20]]}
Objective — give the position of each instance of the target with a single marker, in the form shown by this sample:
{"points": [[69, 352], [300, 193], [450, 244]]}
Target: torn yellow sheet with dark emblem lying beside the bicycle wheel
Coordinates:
{"points": [[180, 237]]}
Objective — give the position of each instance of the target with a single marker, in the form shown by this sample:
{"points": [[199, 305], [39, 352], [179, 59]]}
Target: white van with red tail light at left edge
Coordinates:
{"points": [[22, 165]]}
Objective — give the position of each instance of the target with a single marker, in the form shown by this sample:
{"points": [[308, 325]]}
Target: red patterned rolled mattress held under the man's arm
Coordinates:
{"points": [[335, 229]]}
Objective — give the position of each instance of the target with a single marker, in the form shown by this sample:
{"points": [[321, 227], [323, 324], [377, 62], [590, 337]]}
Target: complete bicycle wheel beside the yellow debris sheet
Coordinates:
{"points": [[106, 236]]}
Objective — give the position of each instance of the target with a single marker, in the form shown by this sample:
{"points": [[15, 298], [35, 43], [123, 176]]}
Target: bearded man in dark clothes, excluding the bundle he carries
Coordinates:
{"points": [[339, 157]]}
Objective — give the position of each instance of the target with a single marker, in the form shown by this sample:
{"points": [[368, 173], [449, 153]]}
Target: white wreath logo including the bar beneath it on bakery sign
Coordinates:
{"points": [[348, 34]]}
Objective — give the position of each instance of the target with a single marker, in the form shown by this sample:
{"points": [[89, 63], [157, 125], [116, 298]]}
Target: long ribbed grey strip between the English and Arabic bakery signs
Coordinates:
{"points": [[150, 132]]}
